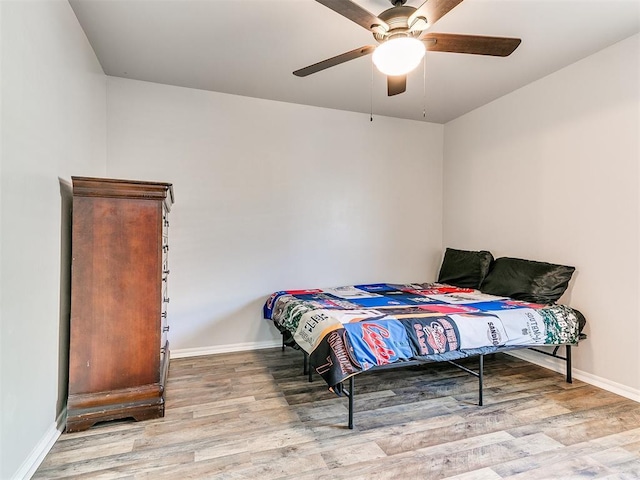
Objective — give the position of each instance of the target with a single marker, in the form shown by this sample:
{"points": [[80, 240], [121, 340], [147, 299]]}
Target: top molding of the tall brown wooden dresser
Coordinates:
{"points": [[116, 188]]}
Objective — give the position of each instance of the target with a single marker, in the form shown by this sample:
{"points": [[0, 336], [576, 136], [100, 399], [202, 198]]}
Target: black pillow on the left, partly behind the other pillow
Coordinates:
{"points": [[464, 268]]}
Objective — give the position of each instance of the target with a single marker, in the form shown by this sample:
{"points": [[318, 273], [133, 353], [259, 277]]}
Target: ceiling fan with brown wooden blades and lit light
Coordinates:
{"points": [[401, 32]]}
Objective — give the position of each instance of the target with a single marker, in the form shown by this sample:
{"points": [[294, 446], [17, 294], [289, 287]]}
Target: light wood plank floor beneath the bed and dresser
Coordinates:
{"points": [[253, 415]]}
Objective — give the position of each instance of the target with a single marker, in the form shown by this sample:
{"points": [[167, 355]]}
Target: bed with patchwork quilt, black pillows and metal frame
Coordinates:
{"points": [[478, 306]]}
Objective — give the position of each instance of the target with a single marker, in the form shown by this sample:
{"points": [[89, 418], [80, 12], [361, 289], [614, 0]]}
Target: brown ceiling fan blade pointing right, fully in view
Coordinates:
{"points": [[472, 44]]}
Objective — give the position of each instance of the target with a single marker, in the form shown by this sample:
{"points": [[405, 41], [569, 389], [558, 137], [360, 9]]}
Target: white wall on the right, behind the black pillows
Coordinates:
{"points": [[551, 172]]}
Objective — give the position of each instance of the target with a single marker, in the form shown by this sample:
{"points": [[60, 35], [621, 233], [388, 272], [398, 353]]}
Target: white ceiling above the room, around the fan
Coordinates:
{"points": [[250, 48]]}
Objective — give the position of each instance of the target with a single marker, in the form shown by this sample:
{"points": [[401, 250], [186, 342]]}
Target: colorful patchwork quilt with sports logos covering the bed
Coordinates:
{"points": [[347, 330]]}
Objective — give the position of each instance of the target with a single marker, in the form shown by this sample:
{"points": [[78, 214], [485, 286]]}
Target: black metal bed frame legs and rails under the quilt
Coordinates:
{"points": [[350, 392]]}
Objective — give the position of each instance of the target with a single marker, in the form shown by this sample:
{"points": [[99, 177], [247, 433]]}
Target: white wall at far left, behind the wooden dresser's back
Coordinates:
{"points": [[53, 125]]}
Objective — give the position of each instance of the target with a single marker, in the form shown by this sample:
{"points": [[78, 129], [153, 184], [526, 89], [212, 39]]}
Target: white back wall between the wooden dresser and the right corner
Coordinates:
{"points": [[271, 196]]}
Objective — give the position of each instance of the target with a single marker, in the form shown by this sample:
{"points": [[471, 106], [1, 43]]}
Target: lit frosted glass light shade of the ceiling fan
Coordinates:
{"points": [[398, 56]]}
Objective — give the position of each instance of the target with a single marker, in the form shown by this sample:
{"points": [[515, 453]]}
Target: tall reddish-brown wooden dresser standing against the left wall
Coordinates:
{"points": [[118, 353]]}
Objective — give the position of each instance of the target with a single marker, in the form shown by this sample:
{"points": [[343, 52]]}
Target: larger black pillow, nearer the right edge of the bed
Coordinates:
{"points": [[537, 282]]}
